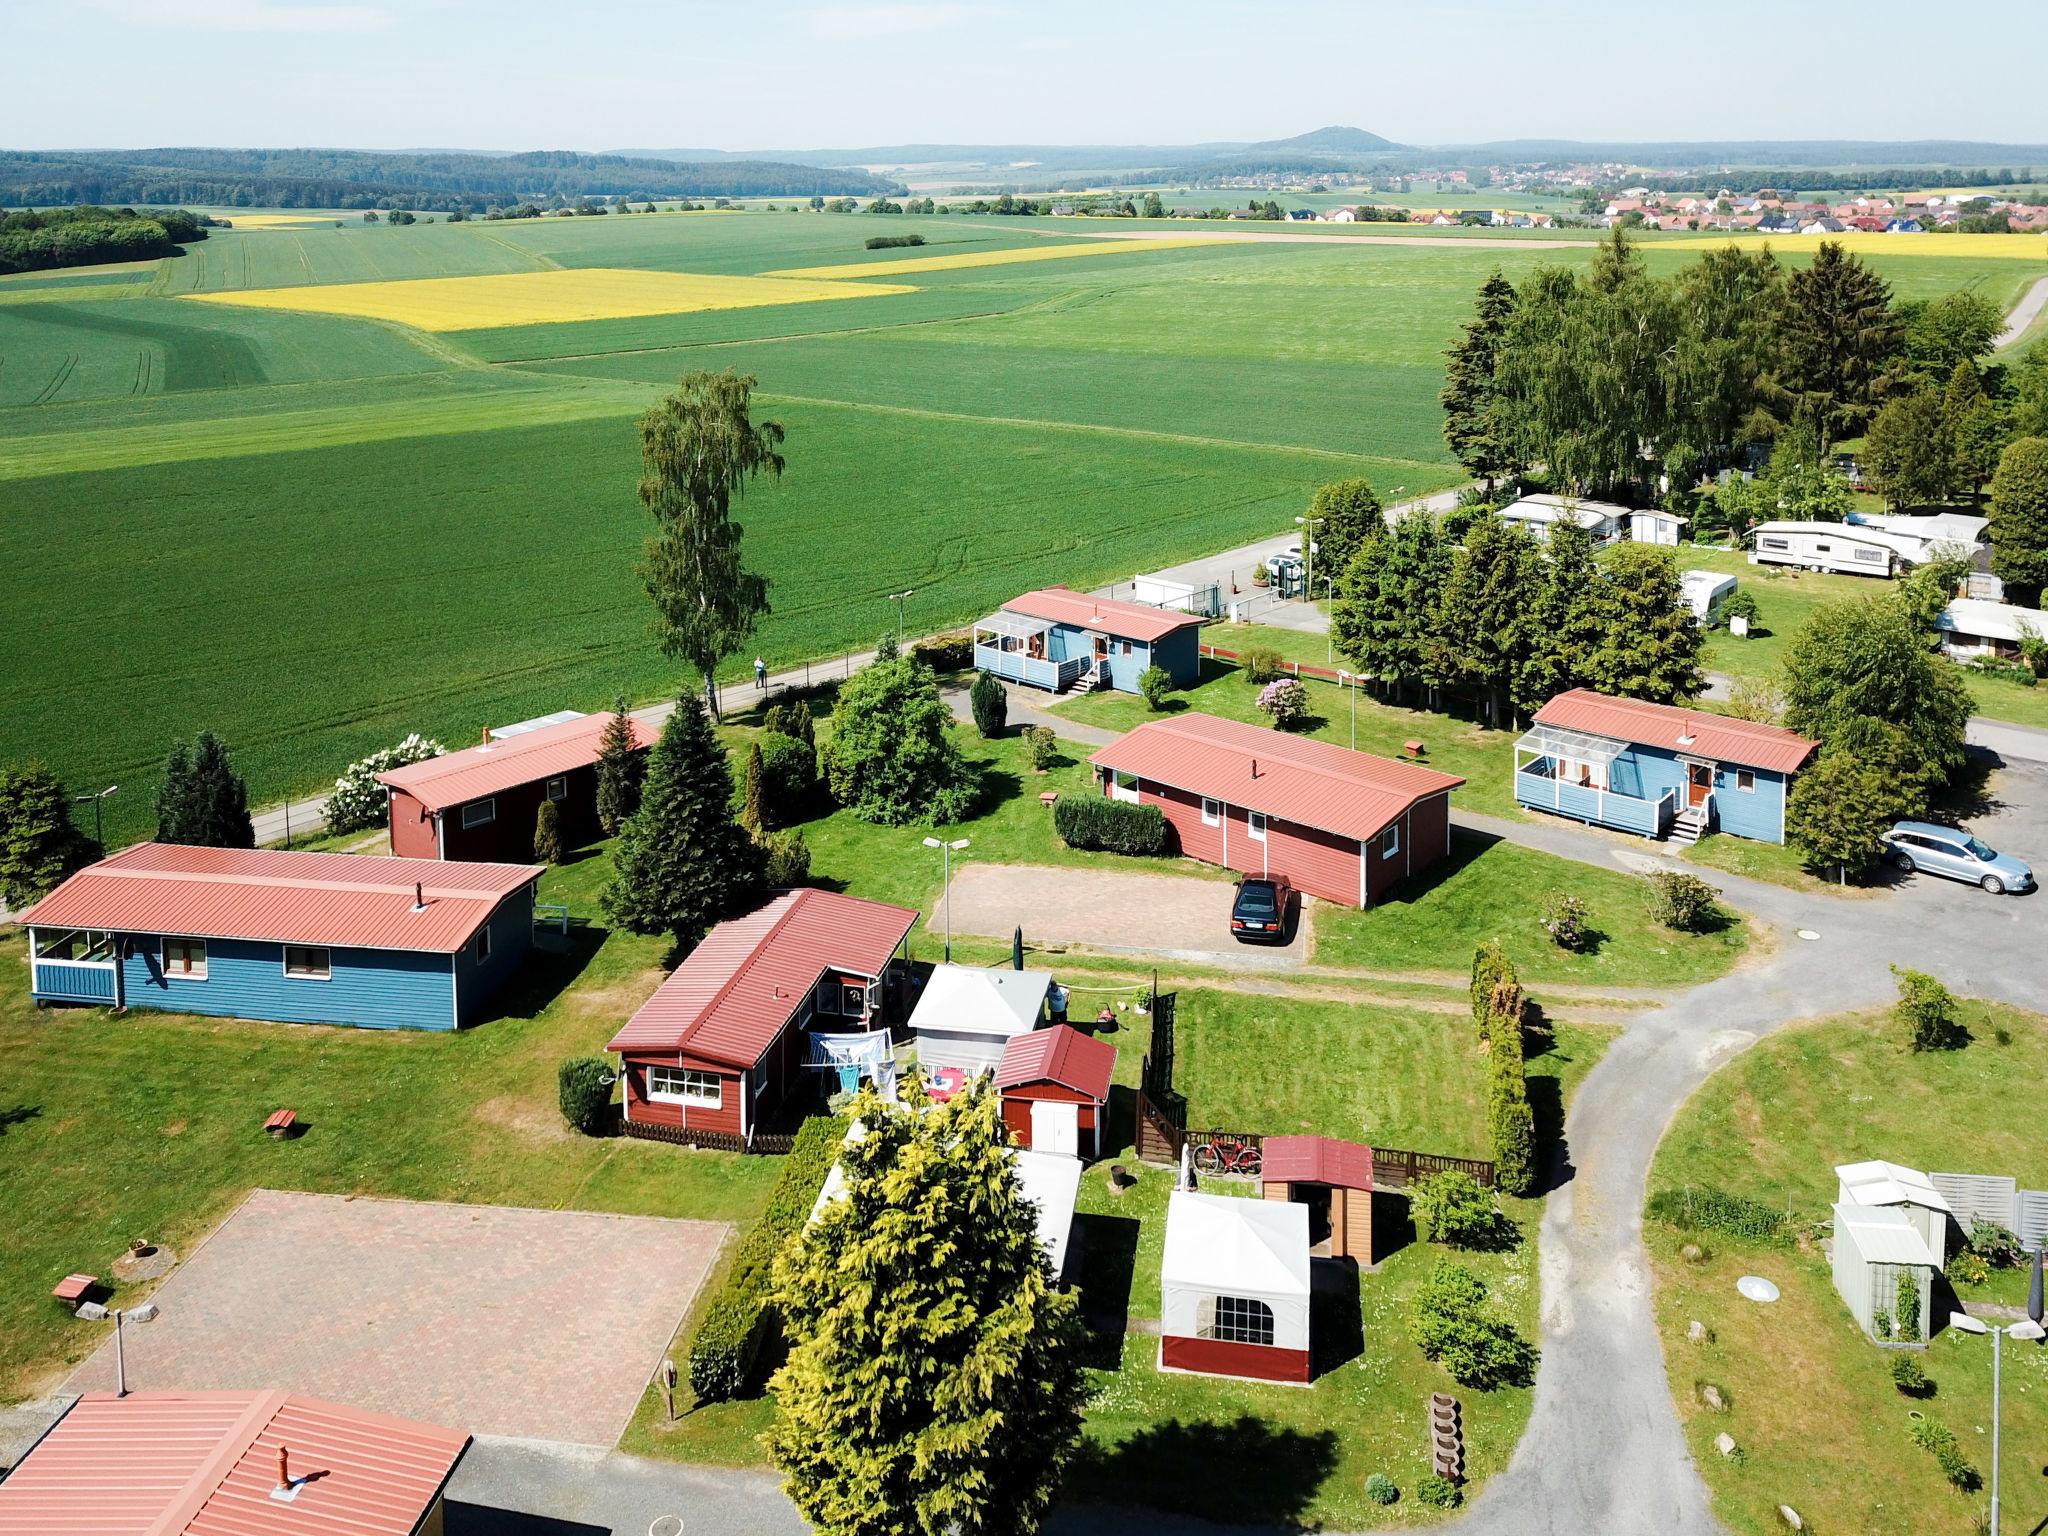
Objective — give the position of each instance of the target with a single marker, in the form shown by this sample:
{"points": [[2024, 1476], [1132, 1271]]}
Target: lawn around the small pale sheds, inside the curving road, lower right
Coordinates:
{"points": [[1770, 1127]]}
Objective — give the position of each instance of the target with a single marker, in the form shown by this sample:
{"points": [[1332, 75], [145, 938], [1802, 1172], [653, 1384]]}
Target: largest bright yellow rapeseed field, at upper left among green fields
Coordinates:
{"points": [[544, 298]]}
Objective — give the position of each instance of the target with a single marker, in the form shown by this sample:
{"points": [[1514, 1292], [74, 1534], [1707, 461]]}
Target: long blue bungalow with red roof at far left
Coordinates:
{"points": [[300, 939]]}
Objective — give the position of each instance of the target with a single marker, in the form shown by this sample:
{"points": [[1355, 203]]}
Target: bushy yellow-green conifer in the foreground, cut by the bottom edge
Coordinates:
{"points": [[935, 1369]]}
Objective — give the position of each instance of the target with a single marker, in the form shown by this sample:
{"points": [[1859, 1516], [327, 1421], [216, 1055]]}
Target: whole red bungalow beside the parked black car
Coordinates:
{"points": [[1340, 824]]}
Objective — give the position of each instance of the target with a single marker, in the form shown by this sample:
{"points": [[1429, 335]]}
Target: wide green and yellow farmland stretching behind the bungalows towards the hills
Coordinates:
{"points": [[316, 531]]}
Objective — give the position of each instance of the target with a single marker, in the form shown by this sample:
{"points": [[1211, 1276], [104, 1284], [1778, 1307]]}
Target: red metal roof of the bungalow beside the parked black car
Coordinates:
{"points": [[1289, 777]]}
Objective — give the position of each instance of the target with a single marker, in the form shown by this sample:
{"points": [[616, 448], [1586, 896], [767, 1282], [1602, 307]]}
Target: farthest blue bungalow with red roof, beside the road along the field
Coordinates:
{"points": [[1060, 640]]}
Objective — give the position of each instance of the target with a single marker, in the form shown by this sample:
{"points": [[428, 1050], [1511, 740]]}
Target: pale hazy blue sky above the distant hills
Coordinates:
{"points": [[765, 75]]}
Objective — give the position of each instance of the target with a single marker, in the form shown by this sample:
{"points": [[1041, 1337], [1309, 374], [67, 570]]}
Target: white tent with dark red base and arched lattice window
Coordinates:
{"points": [[1234, 1287]]}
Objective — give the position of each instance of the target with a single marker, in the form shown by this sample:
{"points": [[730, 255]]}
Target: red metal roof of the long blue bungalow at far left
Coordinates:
{"points": [[339, 900]]}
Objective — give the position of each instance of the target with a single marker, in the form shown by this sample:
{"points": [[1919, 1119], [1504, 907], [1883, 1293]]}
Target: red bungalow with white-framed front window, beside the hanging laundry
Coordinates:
{"points": [[724, 1043]]}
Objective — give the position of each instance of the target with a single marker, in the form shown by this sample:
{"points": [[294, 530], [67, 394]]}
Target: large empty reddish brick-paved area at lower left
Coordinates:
{"points": [[542, 1324]]}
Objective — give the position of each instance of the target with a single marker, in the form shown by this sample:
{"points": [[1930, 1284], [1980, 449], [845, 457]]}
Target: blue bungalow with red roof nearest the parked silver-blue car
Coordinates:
{"points": [[1656, 769]]}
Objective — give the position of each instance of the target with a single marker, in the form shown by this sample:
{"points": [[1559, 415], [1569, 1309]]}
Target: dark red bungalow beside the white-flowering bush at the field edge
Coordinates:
{"points": [[486, 800]]}
